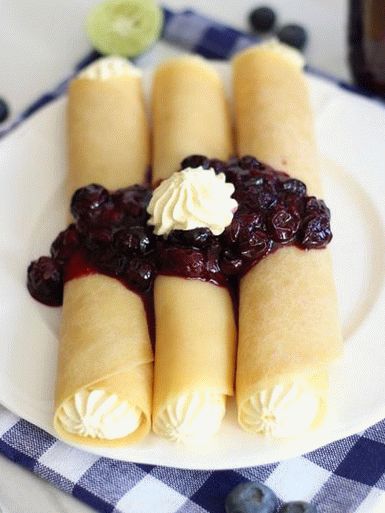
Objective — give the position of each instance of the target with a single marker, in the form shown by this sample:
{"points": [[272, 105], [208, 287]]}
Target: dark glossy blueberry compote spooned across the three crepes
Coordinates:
{"points": [[110, 234]]}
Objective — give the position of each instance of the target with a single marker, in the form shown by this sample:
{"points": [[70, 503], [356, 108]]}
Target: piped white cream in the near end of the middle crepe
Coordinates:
{"points": [[191, 418]]}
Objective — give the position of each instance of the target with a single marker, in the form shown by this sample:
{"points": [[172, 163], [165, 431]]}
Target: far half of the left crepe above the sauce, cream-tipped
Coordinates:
{"points": [[108, 139]]}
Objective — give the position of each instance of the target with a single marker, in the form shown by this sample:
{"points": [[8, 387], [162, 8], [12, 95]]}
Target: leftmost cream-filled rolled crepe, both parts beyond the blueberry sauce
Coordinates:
{"points": [[104, 381]]}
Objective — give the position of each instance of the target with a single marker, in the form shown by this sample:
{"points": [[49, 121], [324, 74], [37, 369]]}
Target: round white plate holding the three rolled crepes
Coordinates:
{"points": [[351, 135]]}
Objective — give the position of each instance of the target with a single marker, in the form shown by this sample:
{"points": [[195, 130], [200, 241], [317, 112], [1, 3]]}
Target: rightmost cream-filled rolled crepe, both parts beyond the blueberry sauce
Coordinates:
{"points": [[289, 330]]}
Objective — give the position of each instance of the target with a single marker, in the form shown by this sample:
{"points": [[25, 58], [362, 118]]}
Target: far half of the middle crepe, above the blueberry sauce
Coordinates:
{"points": [[188, 104]]}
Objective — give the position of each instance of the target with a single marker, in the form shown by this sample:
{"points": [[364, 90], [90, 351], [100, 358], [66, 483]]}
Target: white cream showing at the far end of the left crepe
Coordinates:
{"points": [[109, 67]]}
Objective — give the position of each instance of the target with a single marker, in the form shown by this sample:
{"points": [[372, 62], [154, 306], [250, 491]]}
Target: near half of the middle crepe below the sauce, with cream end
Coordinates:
{"points": [[195, 357]]}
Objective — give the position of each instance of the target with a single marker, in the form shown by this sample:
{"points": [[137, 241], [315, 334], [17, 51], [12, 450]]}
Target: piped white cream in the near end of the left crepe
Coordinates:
{"points": [[97, 414]]}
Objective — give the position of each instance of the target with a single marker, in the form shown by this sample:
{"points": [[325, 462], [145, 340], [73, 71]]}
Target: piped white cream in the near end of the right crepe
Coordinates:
{"points": [[281, 411]]}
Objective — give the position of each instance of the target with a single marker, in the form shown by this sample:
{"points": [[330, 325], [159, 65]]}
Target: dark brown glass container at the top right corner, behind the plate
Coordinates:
{"points": [[367, 44]]}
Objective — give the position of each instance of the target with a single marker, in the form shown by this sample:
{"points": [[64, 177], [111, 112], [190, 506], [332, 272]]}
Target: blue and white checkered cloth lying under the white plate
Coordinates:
{"points": [[344, 477]]}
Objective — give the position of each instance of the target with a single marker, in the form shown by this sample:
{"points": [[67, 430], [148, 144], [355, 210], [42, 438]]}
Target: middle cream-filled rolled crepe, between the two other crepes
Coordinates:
{"points": [[195, 328]]}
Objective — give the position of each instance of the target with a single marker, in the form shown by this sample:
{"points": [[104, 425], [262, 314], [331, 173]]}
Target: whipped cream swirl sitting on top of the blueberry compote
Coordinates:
{"points": [[192, 198]]}
